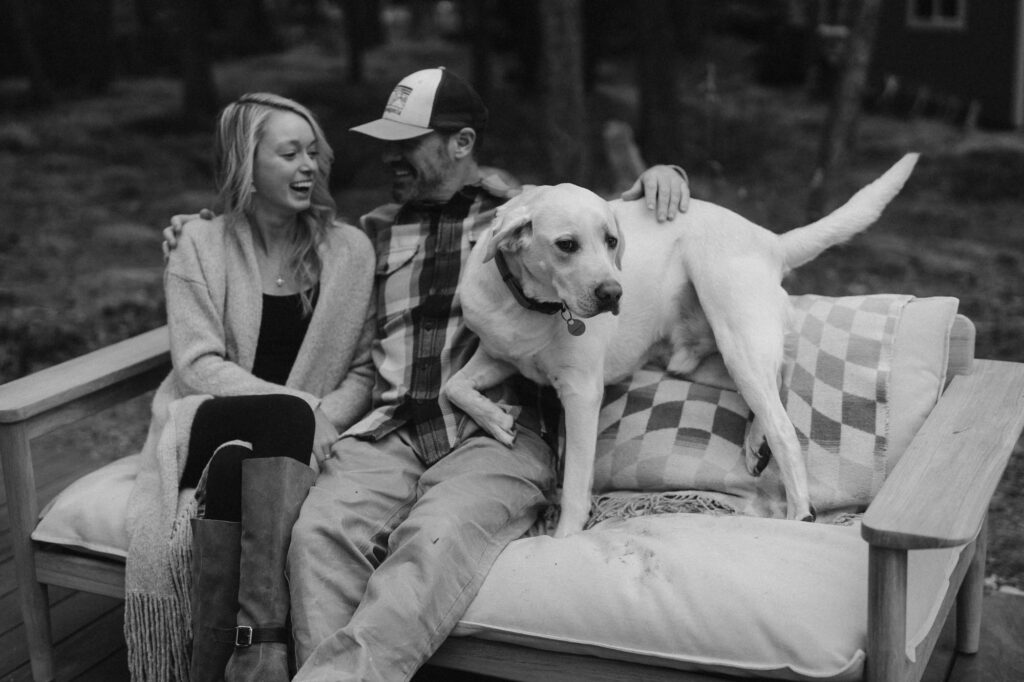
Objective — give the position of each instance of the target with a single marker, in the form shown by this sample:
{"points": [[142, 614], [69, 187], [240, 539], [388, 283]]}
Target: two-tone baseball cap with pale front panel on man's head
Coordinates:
{"points": [[428, 101]]}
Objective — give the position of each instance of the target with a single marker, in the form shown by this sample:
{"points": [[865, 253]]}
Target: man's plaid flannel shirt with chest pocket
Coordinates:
{"points": [[421, 337]]}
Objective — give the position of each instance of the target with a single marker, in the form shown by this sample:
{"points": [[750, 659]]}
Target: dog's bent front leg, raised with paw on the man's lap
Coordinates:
{"points": [[463, 390]]}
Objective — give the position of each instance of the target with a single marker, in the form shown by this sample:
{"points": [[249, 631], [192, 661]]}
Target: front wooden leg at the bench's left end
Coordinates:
{"points": [[20, 483]]}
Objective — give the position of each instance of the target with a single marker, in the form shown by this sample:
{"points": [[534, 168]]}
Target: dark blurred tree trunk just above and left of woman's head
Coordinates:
{"points": [[200, 94]]}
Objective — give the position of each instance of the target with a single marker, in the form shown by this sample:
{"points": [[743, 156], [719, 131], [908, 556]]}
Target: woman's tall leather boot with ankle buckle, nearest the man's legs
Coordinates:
{"points": [[273, 492]]}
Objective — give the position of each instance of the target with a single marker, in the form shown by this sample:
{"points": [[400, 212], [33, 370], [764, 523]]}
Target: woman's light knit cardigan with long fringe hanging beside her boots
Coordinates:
{"points": [[215, 304]]}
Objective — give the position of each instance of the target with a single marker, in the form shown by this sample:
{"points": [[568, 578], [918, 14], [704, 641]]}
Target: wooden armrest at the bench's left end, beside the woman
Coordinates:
{"points": [[134, 366]]}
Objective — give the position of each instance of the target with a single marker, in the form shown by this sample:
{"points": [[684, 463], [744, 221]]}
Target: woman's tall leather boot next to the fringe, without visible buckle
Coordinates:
{"points": [[216, 596]]}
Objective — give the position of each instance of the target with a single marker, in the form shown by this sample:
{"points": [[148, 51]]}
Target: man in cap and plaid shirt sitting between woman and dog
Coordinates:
{"points": [[416, 502]]}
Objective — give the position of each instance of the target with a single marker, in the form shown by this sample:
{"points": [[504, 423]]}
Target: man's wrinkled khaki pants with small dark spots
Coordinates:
{"points": [[388, 555]]}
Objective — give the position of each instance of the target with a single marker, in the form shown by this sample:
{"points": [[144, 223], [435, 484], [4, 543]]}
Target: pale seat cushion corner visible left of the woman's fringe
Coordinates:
{"points": [[91, 514]]}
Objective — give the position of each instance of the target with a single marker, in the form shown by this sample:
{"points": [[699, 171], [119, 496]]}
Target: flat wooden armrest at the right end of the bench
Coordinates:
{"points": [[938, 493]]}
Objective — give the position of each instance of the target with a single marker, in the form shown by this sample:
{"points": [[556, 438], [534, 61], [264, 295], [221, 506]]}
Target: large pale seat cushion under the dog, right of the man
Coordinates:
{"points": [[738, 595]]}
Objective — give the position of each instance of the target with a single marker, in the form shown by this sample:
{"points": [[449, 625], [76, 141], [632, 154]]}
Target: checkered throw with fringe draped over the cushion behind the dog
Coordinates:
{"points": [[661, 435]]}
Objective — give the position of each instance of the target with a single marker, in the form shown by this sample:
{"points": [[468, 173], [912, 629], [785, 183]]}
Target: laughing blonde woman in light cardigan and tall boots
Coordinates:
{"points": [[268, 308]]}
